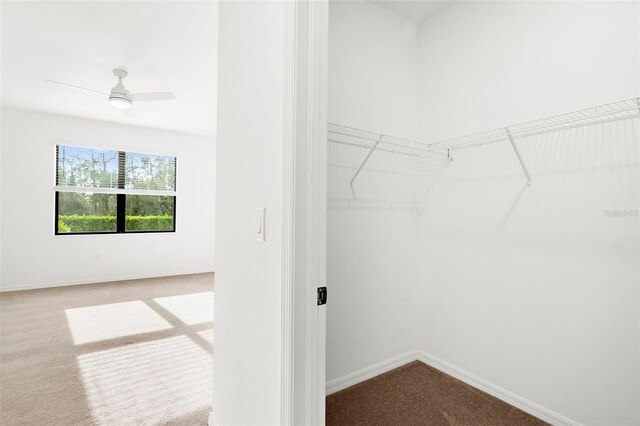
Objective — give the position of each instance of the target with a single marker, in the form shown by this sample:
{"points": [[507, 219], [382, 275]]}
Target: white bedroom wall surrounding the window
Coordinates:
{"points": [[34, 257]]}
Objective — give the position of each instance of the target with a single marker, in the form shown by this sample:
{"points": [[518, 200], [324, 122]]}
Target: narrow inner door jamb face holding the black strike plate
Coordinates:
{"points": [[317, 21]]}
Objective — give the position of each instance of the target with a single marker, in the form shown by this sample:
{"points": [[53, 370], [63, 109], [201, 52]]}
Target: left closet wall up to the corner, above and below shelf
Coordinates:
{"points": [[373, 85]]}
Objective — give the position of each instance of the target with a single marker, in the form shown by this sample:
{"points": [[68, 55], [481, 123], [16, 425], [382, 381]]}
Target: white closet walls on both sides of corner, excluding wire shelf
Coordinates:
{"points": [[533, 289]]}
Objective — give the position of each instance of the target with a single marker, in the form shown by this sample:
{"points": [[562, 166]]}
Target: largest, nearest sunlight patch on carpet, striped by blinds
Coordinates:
{"points": [[155, 381]]}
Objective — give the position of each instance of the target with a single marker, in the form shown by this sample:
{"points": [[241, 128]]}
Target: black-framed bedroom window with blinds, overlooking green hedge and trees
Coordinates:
{"points": [[105, 192]]}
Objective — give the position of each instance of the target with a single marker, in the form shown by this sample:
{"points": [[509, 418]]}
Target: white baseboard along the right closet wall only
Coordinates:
{"points": [[510, 398]]}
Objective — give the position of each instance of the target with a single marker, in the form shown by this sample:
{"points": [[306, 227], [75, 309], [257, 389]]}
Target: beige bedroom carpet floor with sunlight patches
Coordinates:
{"points": [[125, 353]]}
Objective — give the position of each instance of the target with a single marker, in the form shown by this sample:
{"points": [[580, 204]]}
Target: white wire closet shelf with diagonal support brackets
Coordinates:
{"points": [[620, 110]]}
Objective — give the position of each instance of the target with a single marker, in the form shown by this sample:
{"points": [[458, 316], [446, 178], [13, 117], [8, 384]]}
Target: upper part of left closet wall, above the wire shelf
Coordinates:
{"points": [[373, 69]]}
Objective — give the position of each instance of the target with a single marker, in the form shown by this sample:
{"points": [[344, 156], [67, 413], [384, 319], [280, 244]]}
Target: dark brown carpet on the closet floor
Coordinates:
{"points": [[416, 395]]}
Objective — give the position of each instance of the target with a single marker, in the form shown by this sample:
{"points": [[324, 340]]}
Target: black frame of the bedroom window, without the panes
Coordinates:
{"points": [[121, 203]]}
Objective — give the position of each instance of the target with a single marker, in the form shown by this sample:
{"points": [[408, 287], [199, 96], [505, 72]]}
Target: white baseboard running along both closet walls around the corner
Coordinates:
{"points": [[510, 398]]}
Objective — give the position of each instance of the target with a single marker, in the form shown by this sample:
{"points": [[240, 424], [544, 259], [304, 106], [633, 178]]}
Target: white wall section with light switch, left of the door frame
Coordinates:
{"points": [[247, 364]]}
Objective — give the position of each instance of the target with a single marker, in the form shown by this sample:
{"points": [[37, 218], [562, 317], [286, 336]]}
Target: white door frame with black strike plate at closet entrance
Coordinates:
{"points": [[303, 379]]}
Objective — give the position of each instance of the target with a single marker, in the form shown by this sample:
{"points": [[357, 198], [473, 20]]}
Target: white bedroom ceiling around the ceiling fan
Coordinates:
{"points": [[165, 46]]}
